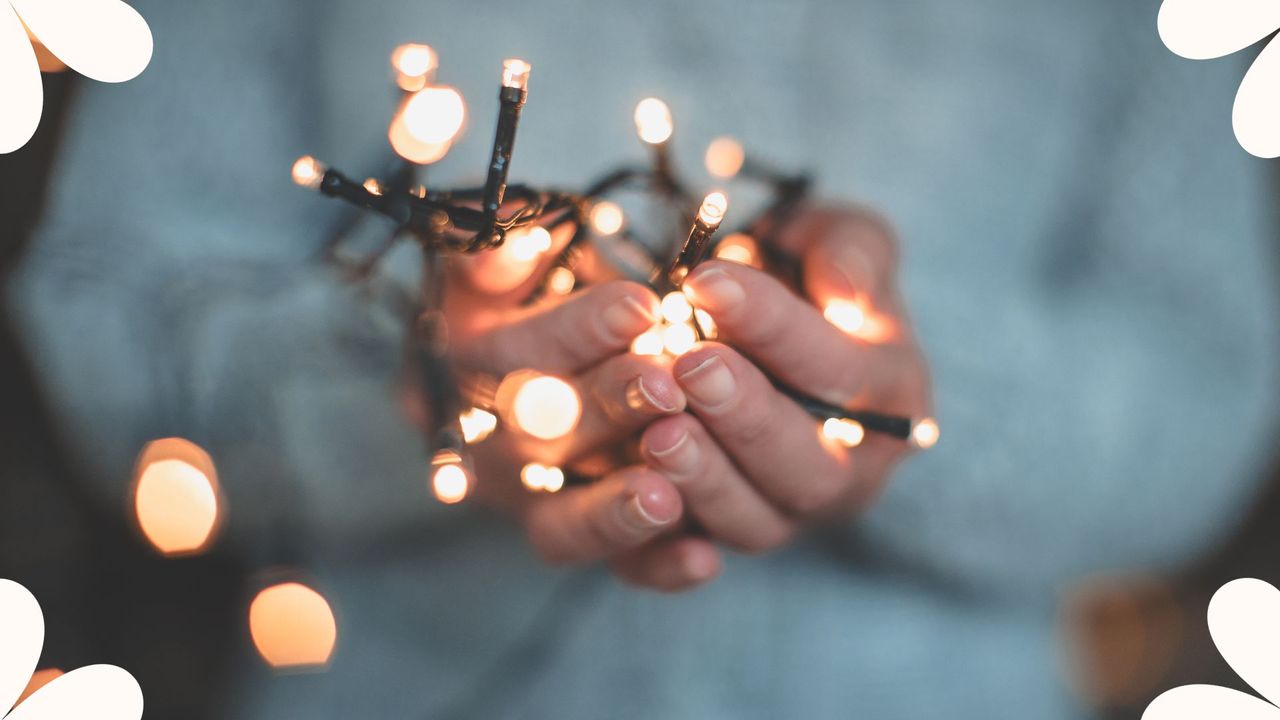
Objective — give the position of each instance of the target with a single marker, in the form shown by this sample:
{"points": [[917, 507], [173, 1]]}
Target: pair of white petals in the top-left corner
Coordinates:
{"points": [[106, 40]]}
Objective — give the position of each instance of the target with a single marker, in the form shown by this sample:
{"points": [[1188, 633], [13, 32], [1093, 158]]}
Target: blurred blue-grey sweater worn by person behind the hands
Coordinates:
{"points": [[1087, 258]]}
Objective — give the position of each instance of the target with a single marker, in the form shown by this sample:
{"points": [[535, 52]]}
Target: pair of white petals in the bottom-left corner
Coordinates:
{"points": [[104, 692]]}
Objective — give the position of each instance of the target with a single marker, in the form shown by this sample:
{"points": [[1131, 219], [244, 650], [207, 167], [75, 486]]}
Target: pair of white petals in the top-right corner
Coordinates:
{"points": [[1201, 30]]}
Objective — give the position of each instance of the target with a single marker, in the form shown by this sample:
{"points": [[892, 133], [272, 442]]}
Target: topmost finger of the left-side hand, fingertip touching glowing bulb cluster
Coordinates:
{"points": [[566, 339]]}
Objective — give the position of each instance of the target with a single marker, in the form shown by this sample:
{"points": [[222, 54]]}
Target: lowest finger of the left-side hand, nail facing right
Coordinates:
{"points": [[605, 518]]}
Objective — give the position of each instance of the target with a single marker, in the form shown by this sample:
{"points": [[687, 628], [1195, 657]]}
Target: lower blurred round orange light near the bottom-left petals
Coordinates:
{"points": [[292, 626]]}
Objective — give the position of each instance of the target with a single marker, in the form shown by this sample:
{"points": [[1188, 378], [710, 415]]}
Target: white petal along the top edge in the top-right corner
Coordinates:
{"points": [[1200, 30]]}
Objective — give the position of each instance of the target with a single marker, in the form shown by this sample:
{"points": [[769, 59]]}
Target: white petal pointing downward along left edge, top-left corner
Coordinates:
{"points": [[20, 88]]}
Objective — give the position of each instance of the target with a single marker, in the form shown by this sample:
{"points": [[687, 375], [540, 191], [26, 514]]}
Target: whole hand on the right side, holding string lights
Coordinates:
{"points": [[751, 464]]}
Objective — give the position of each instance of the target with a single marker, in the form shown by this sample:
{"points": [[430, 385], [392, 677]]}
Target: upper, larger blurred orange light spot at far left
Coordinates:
{"points": [[176, 496]]}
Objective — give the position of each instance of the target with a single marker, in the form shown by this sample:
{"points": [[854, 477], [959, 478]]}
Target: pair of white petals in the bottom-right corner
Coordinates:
{"points": [[1245, 622]]}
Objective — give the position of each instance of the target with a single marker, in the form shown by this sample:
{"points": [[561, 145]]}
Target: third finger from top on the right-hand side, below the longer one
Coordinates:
{"points": [[715, 491]]}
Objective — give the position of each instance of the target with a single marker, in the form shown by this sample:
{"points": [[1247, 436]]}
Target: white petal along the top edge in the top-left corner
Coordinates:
{"points": [[106, 40]]}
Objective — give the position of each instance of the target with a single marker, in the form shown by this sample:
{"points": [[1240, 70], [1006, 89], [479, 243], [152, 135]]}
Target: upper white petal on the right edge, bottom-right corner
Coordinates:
{"points": [[1245, 622]]}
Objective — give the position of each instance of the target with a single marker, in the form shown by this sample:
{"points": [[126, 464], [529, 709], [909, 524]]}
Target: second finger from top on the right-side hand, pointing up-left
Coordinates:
{"points": [[771, 439]]}
